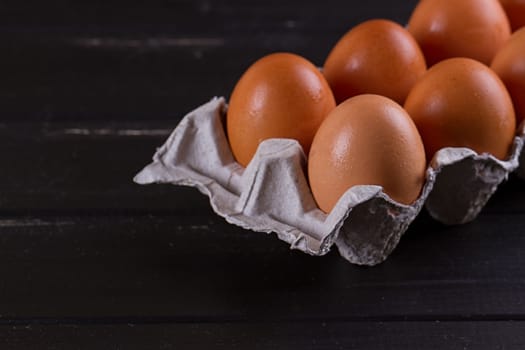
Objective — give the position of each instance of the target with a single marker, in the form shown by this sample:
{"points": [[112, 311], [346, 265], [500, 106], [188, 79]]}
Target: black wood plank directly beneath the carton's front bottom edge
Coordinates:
{"points": [[199, 268]]}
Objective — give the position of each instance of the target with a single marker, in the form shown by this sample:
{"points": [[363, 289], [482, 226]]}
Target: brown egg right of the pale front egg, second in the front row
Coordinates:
{"points": [[461, 102]]}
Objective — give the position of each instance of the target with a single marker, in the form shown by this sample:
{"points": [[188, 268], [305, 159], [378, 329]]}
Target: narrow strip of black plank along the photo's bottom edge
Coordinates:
{"points": [[297, 335]]}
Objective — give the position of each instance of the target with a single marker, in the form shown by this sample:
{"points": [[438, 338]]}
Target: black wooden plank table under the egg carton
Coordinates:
{"points": [[90, 260]]}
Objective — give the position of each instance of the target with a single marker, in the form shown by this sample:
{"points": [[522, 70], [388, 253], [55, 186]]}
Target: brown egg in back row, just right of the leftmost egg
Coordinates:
{"points": [[378, 57]]}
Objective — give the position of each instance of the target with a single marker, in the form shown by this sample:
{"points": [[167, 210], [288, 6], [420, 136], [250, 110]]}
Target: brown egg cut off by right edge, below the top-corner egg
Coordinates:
{"points": [[509, 64]]}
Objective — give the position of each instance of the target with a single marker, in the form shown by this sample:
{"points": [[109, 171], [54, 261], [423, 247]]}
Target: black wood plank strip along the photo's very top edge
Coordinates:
{"points": [[183, 16]]}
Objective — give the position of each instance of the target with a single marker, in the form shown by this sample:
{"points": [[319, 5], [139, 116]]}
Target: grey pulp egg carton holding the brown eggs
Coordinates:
{"points": [[272, 194]]}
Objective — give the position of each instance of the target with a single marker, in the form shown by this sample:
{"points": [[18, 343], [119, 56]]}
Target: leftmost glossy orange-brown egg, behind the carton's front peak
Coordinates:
{"points": [[282, 95]]}
